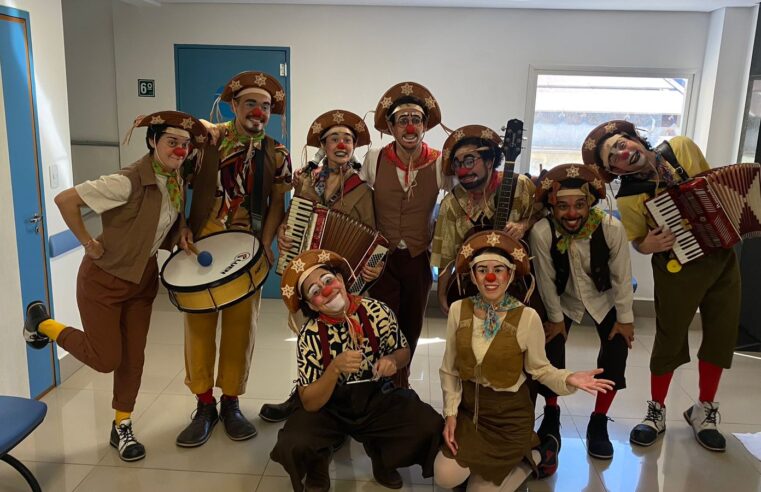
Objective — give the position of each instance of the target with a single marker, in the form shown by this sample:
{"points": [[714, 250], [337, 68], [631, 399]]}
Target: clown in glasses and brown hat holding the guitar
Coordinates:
{"points": [[474, 154]]}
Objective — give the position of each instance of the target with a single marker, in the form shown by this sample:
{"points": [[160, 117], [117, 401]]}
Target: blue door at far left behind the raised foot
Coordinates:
{"points": [[20, 113]]}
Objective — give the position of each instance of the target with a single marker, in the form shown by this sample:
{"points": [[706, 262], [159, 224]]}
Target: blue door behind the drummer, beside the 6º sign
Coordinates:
{"points": [[201, 73]]}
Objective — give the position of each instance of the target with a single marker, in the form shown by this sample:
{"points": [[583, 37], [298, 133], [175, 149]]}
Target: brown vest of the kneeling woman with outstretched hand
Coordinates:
{"points": [[503, 363]]}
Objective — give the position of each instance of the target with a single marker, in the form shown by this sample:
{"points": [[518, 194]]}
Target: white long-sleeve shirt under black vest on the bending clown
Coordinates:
{"points": [[581, 294]]}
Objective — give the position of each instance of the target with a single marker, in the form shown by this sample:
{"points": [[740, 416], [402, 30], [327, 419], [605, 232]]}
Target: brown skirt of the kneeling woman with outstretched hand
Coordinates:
{"points": [[502, 436]]}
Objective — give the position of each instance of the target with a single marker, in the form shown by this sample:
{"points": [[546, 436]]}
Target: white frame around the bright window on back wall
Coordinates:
{"points": [[690, 96]]}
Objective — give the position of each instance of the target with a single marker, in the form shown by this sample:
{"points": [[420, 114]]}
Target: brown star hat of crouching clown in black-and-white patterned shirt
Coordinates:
{"points": [[304, 264]]}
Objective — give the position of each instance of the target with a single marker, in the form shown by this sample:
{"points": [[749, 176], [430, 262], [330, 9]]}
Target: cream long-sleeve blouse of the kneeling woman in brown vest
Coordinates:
{"points": [[530, 337]]}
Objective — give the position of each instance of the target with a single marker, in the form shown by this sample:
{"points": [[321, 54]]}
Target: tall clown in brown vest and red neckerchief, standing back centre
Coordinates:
{"points": [[406, 177]]}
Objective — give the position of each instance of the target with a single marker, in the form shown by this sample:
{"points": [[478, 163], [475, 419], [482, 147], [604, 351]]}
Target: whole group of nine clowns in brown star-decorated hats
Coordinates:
{"points": [[354, 352]]}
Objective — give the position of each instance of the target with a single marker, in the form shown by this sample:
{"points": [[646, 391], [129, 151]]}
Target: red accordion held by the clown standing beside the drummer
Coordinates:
{"points": [[313, 226]]}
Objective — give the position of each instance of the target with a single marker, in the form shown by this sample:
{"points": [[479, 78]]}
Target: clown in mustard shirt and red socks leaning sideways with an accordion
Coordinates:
{"points": [[711, 282]]}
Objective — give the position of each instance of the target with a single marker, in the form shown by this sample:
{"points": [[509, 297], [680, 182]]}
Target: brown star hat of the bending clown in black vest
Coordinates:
{"points": [[570, 177]]}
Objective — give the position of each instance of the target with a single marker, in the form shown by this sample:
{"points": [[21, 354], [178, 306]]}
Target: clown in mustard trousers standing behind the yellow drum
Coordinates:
{"points": [[241, 185]]}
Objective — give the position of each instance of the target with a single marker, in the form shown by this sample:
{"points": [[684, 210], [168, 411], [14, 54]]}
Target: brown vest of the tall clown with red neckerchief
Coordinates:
{"points": [[399, 216]]}
